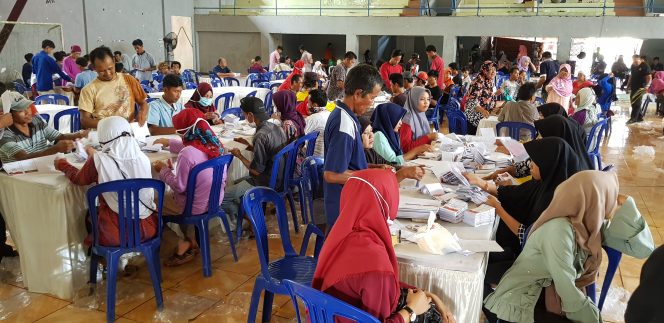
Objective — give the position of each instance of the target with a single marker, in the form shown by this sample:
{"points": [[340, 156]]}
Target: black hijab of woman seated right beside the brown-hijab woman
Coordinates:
{"points": [[557, 161]]}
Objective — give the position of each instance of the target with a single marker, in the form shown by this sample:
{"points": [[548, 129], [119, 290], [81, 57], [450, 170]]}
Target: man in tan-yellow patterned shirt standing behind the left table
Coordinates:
{"points": [[111, 93]]}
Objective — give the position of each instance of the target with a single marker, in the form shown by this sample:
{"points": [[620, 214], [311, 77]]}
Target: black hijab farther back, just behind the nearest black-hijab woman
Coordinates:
{"points": [[570, 131]]}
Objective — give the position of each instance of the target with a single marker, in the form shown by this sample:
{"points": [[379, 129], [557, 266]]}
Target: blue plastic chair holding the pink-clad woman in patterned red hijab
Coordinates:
{"points": [[201, 221]]}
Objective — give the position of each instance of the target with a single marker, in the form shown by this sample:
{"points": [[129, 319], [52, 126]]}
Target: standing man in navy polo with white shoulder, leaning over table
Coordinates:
{"points": [[344, 152]]}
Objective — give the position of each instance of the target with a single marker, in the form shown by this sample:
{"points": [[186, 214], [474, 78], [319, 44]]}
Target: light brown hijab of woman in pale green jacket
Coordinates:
{"points": [[586, 199]]}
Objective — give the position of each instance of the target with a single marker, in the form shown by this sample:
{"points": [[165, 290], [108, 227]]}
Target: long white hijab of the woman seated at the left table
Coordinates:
{"points": [[122, 158]]}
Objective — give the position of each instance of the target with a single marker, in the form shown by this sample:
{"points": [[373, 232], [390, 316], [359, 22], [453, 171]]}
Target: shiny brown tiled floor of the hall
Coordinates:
{"points": [[224, 297]]}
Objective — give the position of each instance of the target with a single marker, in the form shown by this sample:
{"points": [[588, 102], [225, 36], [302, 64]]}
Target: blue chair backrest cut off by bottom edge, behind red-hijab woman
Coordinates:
{"points": [[324, 308]]}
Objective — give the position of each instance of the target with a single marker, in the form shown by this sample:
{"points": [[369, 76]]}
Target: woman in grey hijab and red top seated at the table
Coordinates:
{"points": [[415, 130]]}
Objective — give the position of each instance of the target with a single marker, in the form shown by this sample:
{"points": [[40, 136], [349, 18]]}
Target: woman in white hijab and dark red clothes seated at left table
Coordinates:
{"points": [[120, 158]]}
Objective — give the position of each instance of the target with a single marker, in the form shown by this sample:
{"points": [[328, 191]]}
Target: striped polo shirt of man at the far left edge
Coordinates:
{"points": [[14, 140]]}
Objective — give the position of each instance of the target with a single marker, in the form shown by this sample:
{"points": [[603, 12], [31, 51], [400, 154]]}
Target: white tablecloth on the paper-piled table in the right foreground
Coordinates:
{"points": [[457, 279]]}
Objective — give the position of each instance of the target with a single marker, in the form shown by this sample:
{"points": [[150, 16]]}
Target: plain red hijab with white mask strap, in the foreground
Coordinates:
{"points": [[360, 240]]}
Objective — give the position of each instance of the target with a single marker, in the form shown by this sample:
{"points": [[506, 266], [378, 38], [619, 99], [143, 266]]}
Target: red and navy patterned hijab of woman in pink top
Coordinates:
{"points": [[197, 132]]}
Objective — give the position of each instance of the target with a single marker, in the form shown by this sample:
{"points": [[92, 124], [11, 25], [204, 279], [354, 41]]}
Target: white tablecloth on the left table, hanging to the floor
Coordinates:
{"points": [[45, 214]]}
